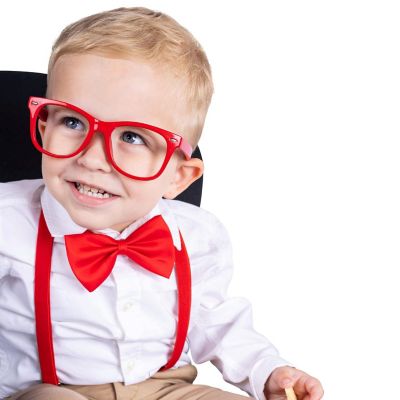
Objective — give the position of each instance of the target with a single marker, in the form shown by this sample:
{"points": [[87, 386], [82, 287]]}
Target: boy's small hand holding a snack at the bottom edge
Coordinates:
{"points": [[305, 386]]}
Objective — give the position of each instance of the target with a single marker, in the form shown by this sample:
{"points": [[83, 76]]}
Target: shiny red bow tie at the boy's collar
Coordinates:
{"points": [[92, 256]]}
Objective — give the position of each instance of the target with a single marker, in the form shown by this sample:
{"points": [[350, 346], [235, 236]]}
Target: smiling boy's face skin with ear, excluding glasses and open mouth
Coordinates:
{"points": [[114, 89]]}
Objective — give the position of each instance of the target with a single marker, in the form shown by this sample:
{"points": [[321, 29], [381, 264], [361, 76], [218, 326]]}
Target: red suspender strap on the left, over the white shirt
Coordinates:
{"points": [[44, 335]]}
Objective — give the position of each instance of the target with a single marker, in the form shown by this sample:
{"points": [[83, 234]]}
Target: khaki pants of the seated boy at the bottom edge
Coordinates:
{"points": [[174, 384]]}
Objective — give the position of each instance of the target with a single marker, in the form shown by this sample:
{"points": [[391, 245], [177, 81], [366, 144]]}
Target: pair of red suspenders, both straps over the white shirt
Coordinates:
{"points": [[44, 336]]}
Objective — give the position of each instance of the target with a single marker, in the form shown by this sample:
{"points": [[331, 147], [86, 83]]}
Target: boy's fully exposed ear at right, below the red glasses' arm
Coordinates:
{"points": [[187, 171]]}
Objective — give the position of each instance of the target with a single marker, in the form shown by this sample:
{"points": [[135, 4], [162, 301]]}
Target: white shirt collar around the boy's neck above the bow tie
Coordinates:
{"points": [[60, 223]]}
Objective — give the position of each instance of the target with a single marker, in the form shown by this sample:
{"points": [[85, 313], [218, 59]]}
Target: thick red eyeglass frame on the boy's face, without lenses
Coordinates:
{"points": [[173, 140]]}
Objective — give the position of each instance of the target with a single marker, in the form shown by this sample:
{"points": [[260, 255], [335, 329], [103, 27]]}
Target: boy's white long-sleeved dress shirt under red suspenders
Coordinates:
{"points": [[124, 331]]}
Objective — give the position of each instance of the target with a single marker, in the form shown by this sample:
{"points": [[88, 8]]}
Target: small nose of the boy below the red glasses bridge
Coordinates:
{"points": [[94, 156]]}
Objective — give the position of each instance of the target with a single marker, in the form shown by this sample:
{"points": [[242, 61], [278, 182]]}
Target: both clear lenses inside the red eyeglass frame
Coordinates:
{"points": [[137, 151]]}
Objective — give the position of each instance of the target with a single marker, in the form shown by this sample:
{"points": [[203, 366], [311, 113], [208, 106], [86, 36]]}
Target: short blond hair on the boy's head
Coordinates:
{"points": [[149, 35]]}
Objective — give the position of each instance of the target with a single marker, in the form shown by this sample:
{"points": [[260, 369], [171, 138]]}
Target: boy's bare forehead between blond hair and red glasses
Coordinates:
{"points": [[119, 89]]}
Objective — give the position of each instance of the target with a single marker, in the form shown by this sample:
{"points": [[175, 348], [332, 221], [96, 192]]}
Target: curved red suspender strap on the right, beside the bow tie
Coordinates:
{"points": [[184, 284]]}
